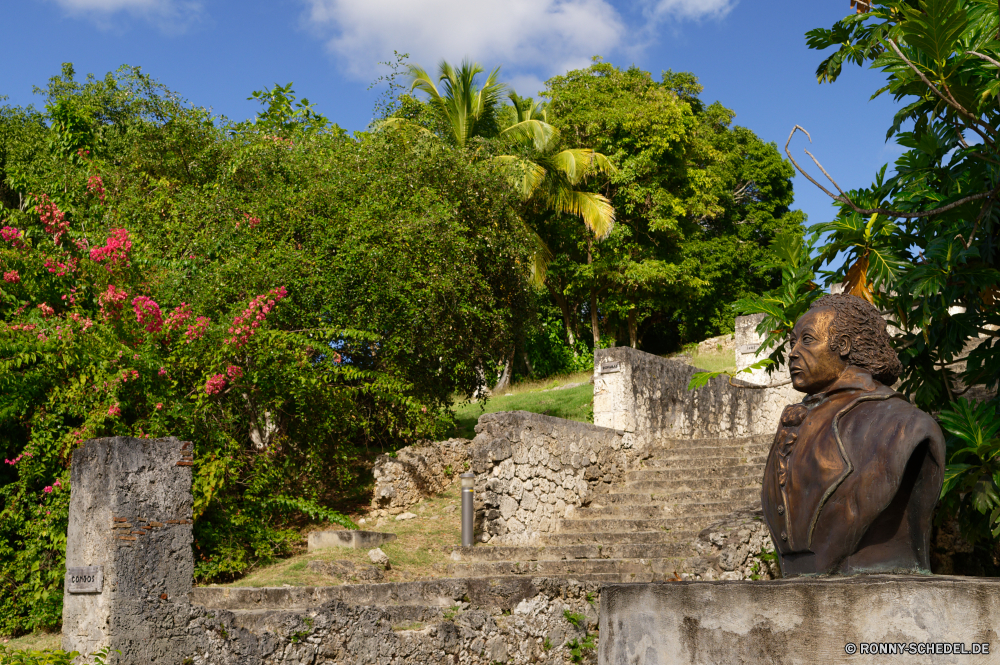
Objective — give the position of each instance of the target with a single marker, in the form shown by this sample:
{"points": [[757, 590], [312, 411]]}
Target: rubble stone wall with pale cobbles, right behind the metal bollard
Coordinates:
{"points": [[532, 470]]}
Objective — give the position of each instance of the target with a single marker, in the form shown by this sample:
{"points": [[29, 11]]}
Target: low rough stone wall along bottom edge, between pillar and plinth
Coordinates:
{"points": [[531, 628]]}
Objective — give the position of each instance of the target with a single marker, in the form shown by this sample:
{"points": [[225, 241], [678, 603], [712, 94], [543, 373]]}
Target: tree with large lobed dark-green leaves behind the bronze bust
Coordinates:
{"points": [[921, 242]]}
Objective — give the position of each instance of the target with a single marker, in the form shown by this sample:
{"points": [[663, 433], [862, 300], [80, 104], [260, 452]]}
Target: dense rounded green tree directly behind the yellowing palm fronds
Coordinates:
{"points": [[696, 200]]}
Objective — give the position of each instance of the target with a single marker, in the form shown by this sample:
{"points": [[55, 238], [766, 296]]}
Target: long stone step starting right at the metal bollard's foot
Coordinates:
{"points": [[581, 551]]}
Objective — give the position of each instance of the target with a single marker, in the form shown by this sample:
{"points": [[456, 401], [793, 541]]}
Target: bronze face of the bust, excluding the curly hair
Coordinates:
{"points": [[813, 365]]}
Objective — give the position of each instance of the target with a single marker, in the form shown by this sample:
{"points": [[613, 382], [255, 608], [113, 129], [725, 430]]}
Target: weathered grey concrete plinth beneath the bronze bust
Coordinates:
{"points": [[805, 621]]}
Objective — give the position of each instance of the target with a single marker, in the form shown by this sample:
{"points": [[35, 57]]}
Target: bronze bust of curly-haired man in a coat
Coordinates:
{"points": [[855, 470]]}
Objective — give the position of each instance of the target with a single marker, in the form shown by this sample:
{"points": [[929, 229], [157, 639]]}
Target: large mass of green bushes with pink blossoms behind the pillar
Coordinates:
{"points": [[292, 300]]}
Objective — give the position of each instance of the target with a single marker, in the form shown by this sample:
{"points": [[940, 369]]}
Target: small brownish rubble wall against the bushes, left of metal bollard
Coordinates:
{"points": [[416, 472]]}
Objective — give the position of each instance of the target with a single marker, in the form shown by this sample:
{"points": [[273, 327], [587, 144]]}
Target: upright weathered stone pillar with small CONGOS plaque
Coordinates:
{"points": [[128, 548]]}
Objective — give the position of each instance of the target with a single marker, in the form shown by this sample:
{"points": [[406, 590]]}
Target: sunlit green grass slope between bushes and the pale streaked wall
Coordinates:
{"points": [[537, 397]]}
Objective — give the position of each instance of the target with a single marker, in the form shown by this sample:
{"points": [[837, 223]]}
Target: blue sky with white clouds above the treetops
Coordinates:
{"points": [[749, 55]]}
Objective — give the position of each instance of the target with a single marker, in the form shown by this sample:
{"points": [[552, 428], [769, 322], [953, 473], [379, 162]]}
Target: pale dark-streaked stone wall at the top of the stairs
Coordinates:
{"points": [[647, 396]]}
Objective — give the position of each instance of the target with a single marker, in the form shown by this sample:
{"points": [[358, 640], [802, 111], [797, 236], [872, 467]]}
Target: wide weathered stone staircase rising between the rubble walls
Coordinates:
{"points": [[644, 529]]}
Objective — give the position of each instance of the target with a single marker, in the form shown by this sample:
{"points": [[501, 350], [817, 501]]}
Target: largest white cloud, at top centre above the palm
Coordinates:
{"points": [[539, 36]]}
